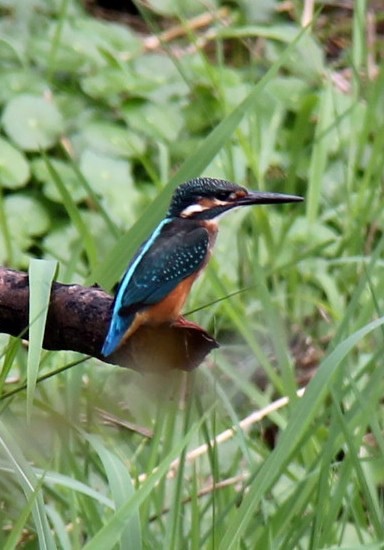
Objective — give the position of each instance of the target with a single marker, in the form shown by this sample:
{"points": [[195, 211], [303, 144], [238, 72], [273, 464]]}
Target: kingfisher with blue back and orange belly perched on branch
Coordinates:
{"points": [[159, 278]]}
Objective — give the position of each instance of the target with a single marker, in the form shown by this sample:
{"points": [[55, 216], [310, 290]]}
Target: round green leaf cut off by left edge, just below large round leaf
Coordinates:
{"points": [[14, 168]]}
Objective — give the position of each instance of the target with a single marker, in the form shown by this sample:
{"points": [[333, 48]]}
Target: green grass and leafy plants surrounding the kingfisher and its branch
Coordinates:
{"points": [[99, 123]]}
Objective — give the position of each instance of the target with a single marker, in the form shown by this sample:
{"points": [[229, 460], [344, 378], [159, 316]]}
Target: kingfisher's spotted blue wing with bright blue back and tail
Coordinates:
{"points": [[175, 251]]}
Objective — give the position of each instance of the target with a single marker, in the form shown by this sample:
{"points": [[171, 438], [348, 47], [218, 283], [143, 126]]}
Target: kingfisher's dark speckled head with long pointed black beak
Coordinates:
{"points": [[208, 198]]}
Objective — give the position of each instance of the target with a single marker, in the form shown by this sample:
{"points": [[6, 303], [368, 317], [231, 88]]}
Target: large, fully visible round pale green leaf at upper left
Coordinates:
{"points": [[32, 122]]}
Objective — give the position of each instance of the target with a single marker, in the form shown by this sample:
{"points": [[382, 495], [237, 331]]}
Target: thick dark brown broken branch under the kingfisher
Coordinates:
{"points": [[78, 319]]}
